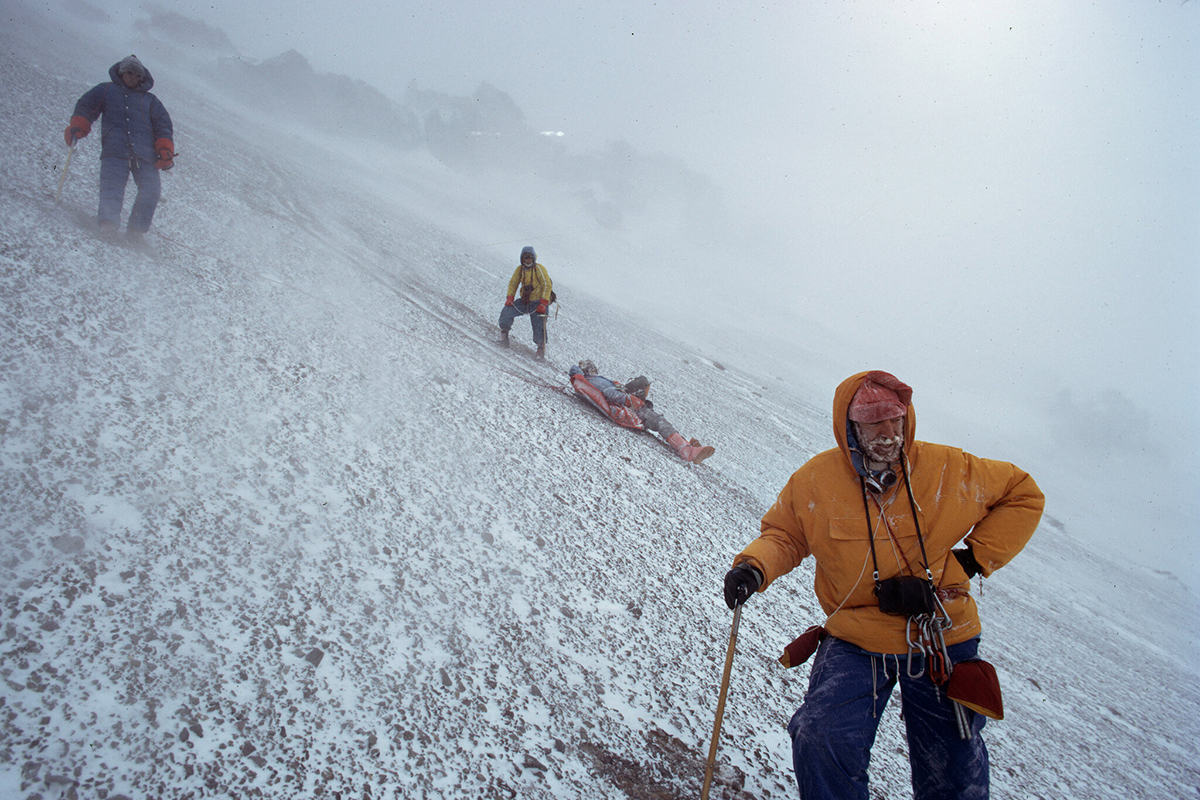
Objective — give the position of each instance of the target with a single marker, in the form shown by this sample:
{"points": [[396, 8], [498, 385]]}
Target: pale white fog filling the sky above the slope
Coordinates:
{"points": [[998, 204]]}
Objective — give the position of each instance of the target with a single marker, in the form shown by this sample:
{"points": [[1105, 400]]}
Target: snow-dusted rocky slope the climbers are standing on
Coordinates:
{"points": [[279, 520]]}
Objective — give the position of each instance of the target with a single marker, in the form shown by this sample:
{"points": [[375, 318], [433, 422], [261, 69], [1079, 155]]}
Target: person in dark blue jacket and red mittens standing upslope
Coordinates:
{"points": [[136, 140]]}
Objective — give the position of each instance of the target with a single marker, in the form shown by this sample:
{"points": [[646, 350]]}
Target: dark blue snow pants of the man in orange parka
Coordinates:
{"points": [[835, 729]]}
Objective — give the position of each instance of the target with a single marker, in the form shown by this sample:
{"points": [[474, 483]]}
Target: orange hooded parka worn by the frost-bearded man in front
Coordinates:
{"points": [[820, 513]]}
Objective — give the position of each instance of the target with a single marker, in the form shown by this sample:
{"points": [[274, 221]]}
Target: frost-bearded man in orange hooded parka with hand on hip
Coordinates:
{"points": [[881, 515]]}
